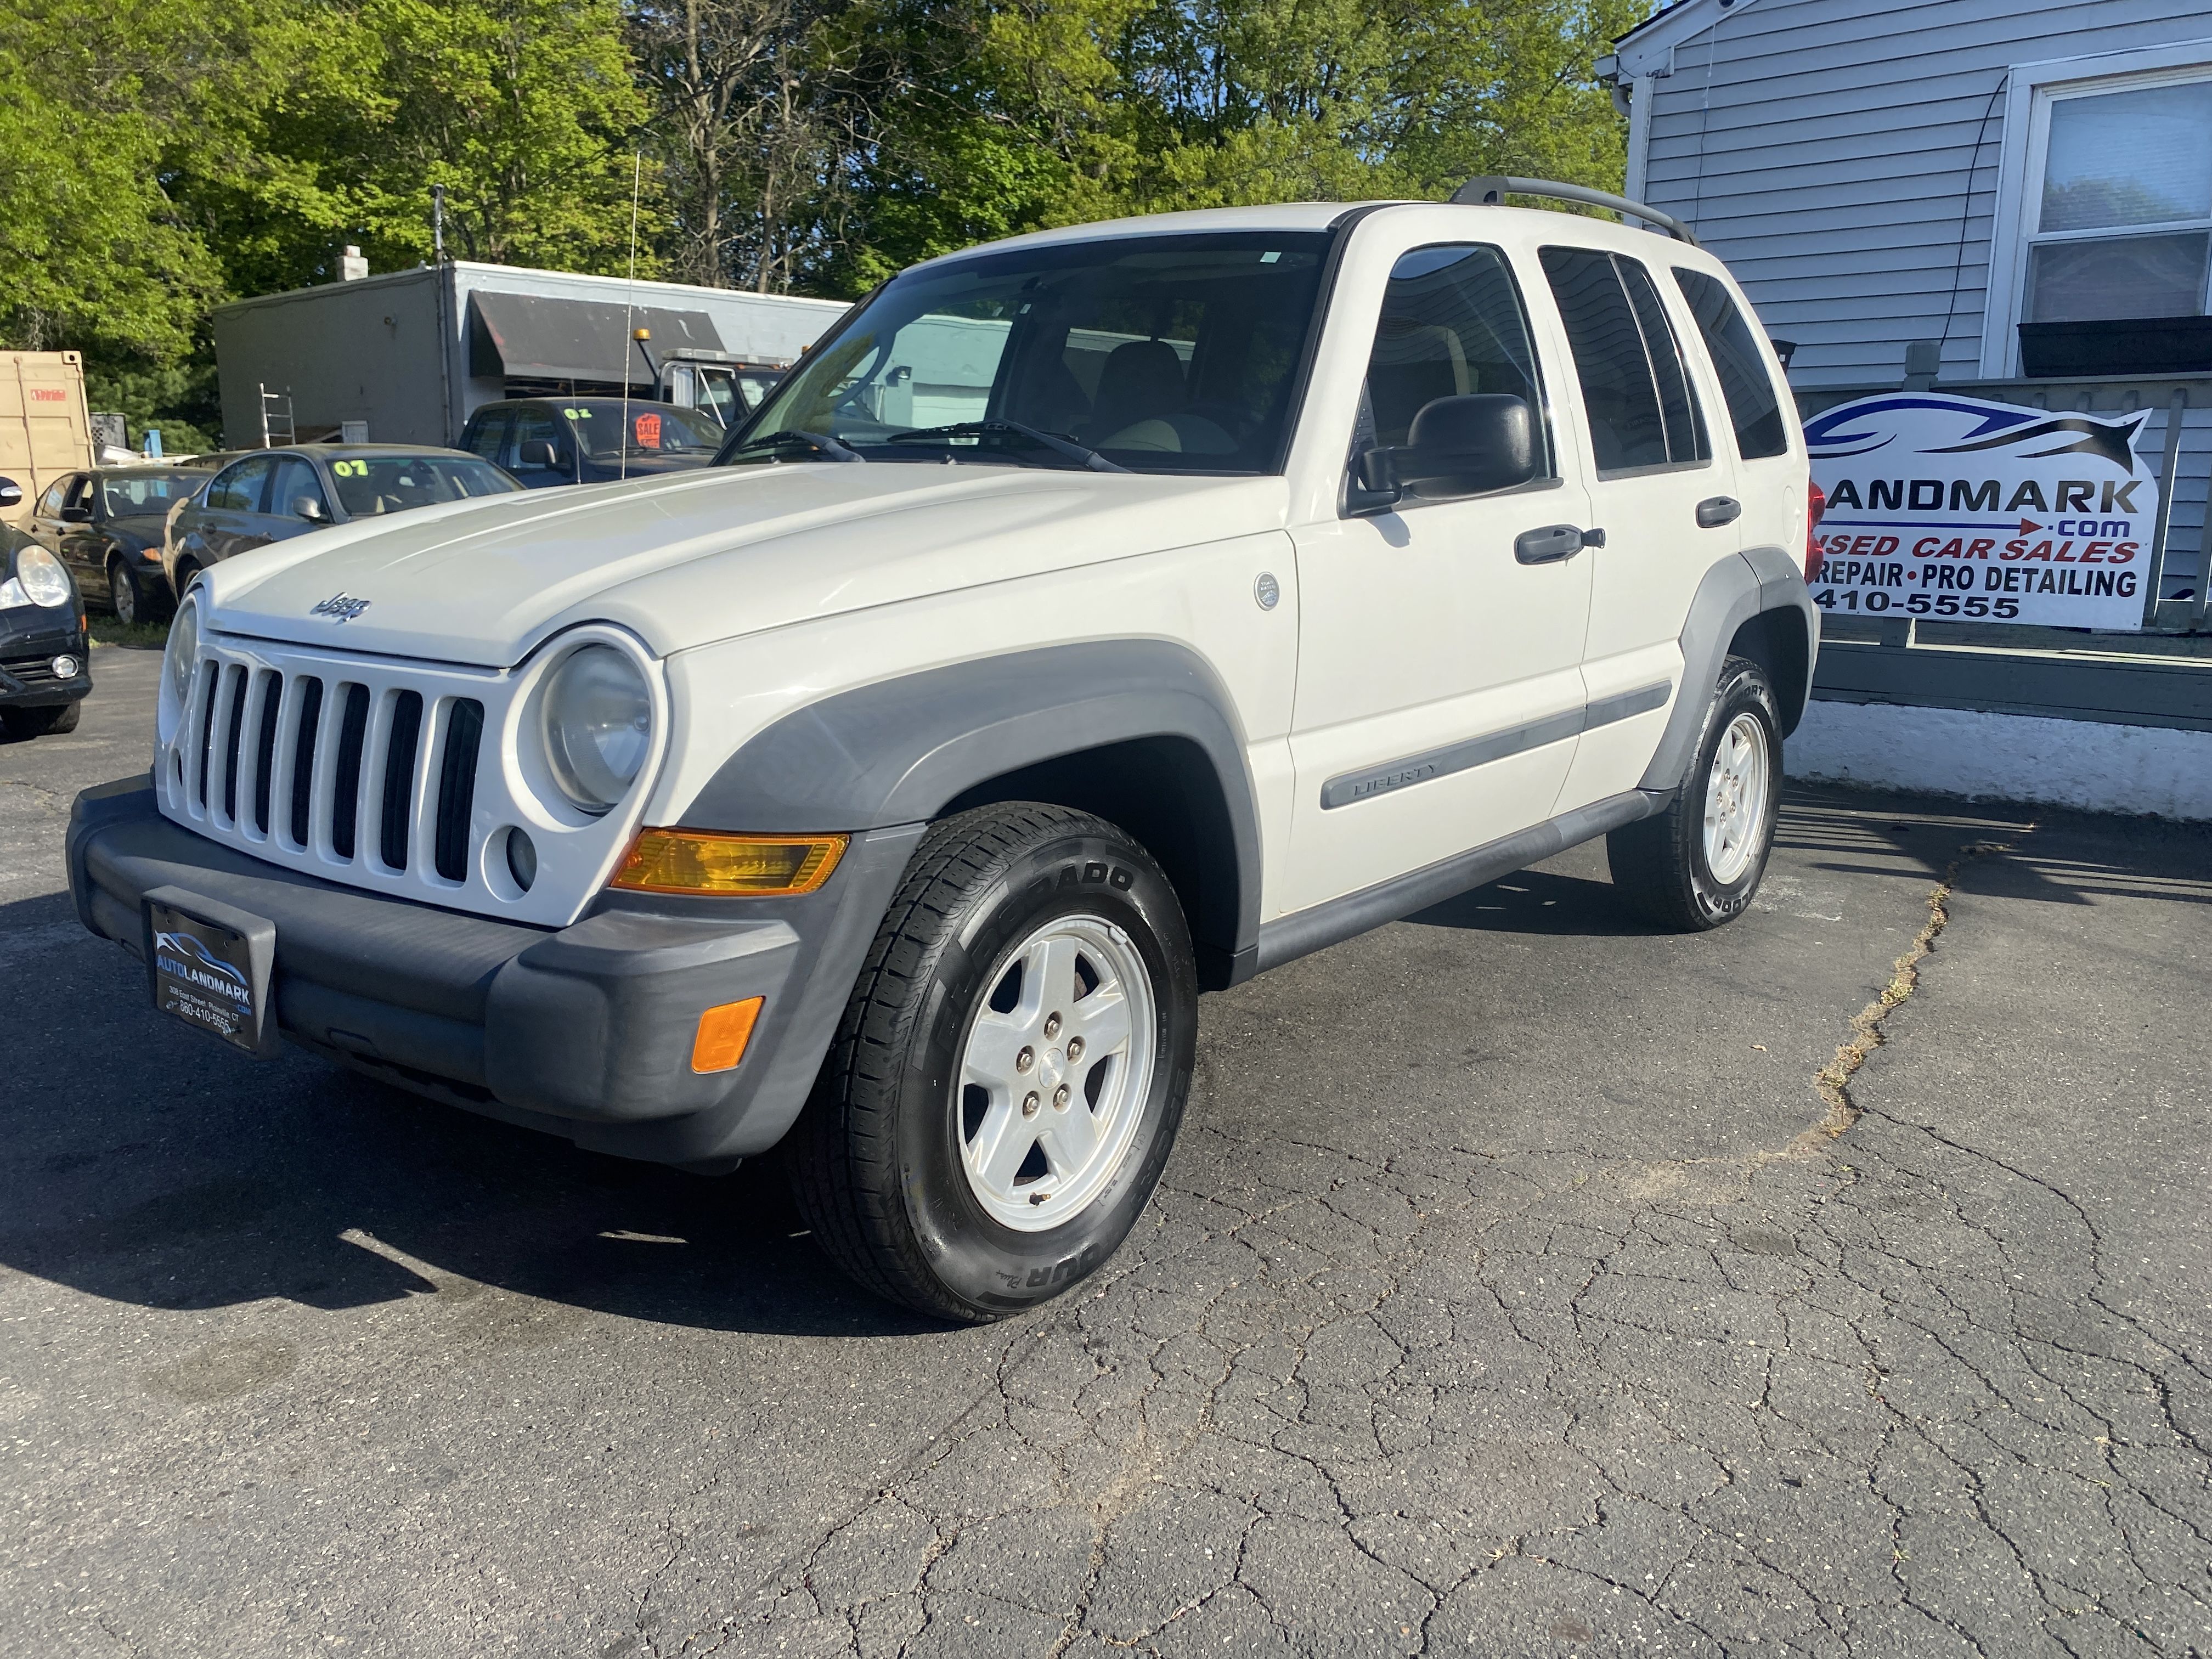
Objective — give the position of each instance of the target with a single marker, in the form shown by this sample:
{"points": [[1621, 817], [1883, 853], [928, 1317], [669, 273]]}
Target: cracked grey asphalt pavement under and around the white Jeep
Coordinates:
{"points": [[1507, 1295]]}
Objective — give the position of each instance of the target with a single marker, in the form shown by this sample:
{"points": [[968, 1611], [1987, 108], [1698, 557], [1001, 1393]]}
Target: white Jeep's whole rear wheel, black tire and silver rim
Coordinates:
{"points": [[1698, 864]]}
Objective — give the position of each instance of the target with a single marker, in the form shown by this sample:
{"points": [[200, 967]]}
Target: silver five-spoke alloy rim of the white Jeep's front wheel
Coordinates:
{"points": [[1054, 1074]]}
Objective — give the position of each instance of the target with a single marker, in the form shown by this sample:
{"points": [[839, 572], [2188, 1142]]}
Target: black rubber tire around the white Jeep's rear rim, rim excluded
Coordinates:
{"points": [[1660, 864]]}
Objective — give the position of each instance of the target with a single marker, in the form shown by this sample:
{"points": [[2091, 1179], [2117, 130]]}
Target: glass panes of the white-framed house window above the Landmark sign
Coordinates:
{"points": [[2125, 213]]}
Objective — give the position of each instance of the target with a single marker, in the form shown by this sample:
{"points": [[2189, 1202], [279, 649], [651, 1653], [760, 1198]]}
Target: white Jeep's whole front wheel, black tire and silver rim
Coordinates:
{"points": [[1012, 1067]]}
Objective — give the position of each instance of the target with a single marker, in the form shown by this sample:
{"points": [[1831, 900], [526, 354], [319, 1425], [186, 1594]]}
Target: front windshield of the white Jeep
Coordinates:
{"points": [[1160, 353]]}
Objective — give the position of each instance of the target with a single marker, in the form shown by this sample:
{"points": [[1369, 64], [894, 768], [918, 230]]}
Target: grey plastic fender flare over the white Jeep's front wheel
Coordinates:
{"points": [[904, 749]]}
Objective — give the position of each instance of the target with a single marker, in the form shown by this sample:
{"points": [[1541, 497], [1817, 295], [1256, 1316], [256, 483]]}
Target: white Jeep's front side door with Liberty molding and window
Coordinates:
{"points": [[1439, 662]]}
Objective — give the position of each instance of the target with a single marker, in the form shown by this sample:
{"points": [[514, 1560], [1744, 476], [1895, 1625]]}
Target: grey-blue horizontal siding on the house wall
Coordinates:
{"points": [[1844, 158]]}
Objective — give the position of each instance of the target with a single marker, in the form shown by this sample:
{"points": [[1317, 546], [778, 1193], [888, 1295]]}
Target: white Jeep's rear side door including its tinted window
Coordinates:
{"points": [[1665, 501]]}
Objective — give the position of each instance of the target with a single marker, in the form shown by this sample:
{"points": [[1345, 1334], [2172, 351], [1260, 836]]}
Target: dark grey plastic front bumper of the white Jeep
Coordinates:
{"points": [[583, 1032]]}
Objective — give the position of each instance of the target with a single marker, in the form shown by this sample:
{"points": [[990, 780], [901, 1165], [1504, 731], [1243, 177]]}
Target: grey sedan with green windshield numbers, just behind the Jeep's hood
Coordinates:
{"points": [[275, 494]]}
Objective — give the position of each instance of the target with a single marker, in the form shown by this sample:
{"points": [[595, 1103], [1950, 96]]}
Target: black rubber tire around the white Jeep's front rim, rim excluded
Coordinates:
{"points": [[877, 1158]]}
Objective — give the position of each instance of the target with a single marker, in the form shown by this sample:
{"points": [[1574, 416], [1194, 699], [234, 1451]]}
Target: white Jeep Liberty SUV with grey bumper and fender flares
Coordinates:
{"points": [[1094, 618]]}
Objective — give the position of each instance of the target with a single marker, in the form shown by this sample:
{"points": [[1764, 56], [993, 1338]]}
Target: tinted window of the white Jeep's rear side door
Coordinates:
{"points": [[1638, 399]]}
